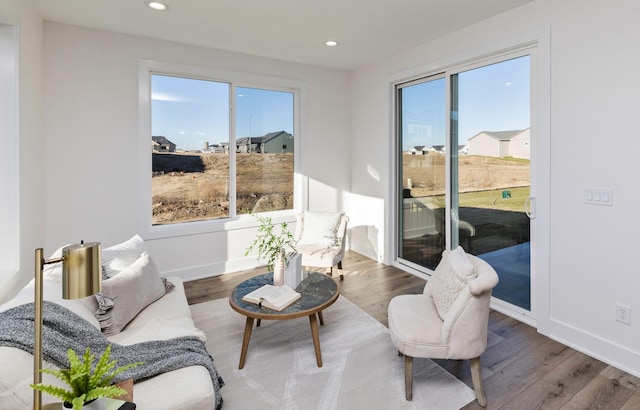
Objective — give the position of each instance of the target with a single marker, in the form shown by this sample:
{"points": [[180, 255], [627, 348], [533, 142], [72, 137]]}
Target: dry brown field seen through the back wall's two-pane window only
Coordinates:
{"points": [[191, 187]]}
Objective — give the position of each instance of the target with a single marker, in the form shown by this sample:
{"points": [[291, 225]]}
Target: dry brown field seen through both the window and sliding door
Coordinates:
{"points": [[191, 187]]}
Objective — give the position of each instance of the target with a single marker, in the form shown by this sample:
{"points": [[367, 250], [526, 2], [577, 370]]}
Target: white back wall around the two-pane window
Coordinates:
{"points": [[92, 142]]}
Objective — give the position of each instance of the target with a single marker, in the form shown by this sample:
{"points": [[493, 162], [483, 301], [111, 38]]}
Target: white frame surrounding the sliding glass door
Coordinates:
{"points": [[539, 41]]}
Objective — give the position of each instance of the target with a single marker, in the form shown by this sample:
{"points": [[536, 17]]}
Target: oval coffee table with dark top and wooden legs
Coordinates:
{"points": [[318, 292]]}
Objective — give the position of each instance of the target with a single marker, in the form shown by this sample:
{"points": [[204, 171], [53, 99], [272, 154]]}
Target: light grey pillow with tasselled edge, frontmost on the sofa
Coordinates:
{"points": [[126, 294]]}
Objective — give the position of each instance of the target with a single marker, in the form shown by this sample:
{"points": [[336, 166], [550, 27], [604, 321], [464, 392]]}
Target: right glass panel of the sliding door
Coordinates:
{"points": [[492, 107]]}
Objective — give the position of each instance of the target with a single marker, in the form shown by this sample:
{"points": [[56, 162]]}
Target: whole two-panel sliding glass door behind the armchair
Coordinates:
{"points": [[468, 183]]}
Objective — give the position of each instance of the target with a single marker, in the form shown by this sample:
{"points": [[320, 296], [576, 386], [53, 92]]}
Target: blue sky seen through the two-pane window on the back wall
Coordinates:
{"points": [[190, 112]]}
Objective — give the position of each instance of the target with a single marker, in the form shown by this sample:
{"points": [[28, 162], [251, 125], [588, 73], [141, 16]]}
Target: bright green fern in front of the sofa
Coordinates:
{"points": [[85, 385]]}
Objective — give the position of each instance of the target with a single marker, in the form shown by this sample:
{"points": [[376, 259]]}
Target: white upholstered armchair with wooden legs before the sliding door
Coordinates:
{"points": [[449, 320]]}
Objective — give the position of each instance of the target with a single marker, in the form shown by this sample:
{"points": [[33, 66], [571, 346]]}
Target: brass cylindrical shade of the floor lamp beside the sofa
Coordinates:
{"points": [[81, 270]]}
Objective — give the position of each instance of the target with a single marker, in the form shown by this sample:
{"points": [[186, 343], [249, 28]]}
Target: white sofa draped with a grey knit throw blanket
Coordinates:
{"points": [[166, 318]]}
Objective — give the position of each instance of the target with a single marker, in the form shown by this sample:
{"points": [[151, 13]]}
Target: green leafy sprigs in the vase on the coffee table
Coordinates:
{"points": [[270, 242]]}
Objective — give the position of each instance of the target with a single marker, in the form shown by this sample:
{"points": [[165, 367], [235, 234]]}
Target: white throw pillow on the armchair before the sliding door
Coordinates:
{"points": [[450, 278]]}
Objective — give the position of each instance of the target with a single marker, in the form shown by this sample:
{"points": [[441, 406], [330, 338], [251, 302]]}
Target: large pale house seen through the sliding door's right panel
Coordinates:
{"points": [[514, 143]]}
